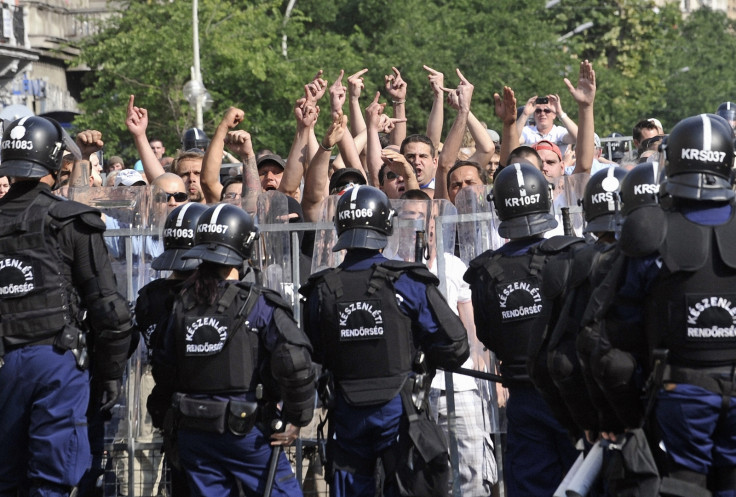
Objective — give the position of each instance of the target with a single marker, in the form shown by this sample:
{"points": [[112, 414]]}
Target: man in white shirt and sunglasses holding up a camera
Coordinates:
{"points": [[545, 110]]}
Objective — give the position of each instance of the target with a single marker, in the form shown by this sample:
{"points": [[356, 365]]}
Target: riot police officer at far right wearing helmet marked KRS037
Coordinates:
{"points": [[684, 284]]}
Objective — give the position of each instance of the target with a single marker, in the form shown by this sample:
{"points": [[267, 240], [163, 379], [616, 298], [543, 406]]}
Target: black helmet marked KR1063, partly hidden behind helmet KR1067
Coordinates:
{"points": [[179, 231]]}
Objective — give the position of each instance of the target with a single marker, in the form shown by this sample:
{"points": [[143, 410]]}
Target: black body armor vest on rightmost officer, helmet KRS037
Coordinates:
{"points": [[692, 306]]}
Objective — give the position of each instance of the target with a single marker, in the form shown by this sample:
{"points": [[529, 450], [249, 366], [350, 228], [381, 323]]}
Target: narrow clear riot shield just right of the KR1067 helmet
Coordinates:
{"points": [[272, 251]]}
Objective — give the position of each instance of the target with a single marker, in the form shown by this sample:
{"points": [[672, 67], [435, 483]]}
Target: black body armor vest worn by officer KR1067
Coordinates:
{"points": [[218, 350]]}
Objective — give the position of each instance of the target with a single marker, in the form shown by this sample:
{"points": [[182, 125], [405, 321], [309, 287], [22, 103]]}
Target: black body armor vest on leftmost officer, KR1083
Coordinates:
{"points": [[36, 300]]}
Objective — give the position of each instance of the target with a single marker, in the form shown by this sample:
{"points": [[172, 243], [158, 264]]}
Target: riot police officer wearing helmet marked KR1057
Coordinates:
{"points": [[510, 319]]}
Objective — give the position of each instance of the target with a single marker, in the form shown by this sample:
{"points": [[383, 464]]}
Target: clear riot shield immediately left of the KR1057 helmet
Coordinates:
{"points": [[477, 231]]}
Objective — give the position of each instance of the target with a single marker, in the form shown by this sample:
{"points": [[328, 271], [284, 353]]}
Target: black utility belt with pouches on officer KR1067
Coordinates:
{"points": [[216, 416]]}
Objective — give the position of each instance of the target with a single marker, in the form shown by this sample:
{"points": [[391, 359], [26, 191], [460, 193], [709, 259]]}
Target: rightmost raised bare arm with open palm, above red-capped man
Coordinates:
{"points": [[584, 95]]}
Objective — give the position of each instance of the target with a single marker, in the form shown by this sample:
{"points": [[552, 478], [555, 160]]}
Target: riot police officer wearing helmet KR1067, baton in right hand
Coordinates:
{"points": [[233, 351]]}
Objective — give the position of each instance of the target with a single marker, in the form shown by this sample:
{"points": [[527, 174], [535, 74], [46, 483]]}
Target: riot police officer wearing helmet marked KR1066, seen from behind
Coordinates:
{"points": [[371, 322]]}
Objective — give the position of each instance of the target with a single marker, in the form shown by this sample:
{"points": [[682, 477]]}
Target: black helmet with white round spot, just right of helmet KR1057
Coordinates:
{"points": [[601, 201]]}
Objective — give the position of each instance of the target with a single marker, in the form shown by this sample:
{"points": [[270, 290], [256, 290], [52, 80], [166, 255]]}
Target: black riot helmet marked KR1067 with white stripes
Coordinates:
{"points": [[225, 235]]}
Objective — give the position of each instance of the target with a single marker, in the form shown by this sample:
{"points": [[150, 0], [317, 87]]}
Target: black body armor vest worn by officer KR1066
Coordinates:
{"points": [[367, 339]]}
